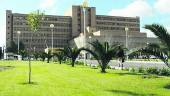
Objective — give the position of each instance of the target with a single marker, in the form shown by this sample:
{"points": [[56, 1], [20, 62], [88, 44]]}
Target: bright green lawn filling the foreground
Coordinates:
{"points": [[63, 80]]}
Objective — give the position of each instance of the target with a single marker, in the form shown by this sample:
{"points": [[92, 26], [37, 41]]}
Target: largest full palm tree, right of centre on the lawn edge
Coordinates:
{"points": [[103, 53]]}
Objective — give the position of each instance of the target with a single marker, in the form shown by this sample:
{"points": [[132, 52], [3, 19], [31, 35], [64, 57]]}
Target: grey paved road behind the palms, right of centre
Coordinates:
{"points": [[132, 64]]}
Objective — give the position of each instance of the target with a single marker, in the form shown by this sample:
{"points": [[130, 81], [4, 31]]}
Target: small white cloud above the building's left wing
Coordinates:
{"points": [[45, 4]]}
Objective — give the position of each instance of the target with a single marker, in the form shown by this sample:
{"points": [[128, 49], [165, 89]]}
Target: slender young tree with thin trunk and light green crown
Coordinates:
{"points": [[34, 21]]}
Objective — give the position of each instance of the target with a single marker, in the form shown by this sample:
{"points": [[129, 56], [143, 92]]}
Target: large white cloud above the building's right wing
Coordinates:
{"points": [[136, 8]]}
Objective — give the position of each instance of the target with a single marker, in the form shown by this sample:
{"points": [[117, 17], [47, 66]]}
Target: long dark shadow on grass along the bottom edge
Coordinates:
{"points": [[129, 93]]}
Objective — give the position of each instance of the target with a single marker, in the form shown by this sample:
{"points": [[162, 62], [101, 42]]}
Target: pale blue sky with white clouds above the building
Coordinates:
{"points": [[149, 11]]}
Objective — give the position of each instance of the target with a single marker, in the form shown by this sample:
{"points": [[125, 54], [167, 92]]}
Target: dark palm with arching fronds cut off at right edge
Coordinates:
{"points": [[163, 35]]}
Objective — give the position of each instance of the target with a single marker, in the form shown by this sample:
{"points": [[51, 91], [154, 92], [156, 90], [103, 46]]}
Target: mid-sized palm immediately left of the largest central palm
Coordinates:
{"points": [[72, 53]]}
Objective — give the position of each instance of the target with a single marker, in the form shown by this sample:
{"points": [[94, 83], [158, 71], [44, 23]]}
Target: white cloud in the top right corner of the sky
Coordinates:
{"points": [[162, 6]]}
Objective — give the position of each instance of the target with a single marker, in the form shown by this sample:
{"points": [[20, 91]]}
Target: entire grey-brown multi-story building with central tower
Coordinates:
{"points": [[67, 28]]}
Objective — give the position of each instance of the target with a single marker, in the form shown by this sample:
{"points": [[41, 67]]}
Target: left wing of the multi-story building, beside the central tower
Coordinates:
{"points": [[43, 37]]}
